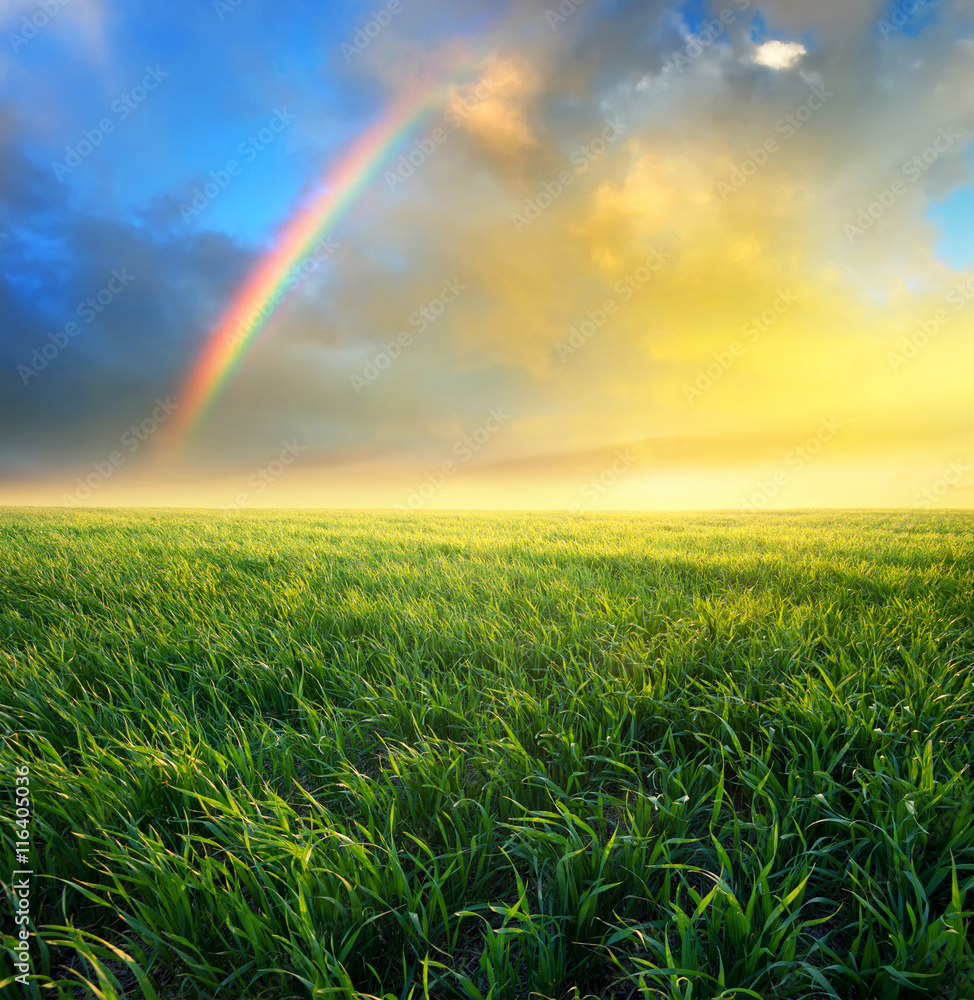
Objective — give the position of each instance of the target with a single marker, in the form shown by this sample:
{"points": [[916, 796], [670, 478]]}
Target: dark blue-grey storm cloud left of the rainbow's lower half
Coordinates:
{"points": [[99, 314]]}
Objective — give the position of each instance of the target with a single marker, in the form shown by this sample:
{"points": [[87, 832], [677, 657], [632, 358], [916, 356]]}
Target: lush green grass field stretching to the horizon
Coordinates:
{"points": [[491, 756]]}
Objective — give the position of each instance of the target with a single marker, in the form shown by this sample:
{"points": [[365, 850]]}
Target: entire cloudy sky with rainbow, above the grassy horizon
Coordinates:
{"points": [[537, 254]]}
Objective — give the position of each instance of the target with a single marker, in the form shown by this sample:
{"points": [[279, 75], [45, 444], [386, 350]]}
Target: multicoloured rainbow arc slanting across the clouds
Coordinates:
{"points": [[279, 271]]}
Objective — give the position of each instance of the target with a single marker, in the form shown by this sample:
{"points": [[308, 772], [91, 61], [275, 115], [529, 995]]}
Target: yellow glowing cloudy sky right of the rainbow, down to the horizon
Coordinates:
{"points": [[774, 357]]}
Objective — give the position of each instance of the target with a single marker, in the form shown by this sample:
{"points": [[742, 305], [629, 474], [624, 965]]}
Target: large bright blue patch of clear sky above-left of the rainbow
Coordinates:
{"points": [[224, 82]]}
